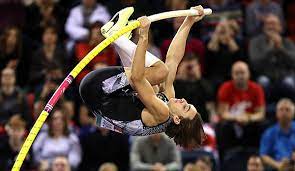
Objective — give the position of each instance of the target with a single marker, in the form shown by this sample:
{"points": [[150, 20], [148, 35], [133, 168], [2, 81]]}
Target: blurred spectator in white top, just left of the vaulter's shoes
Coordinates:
{"points": [[81, 17]]}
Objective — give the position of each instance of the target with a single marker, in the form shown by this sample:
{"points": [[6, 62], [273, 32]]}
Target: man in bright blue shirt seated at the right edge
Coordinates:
{"points": [[277, 143]]}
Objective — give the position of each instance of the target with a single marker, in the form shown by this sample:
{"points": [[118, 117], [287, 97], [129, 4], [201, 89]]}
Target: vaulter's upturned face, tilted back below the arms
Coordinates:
{"points": [[180, 108]]}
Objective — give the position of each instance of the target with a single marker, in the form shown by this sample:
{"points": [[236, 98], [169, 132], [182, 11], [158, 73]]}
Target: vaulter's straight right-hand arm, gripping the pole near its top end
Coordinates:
{"points": [[177, 48]]}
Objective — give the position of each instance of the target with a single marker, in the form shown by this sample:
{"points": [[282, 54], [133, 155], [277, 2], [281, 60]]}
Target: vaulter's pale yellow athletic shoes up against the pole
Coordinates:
{"points": [[109, 28]]}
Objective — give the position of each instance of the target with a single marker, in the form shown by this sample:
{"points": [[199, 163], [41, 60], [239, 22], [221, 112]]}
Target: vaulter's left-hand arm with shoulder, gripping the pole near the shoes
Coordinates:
{"points": [[154, 105]]}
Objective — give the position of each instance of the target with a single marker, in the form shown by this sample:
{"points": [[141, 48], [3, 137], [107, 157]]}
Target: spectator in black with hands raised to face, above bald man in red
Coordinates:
{"points": [[224, 48]]}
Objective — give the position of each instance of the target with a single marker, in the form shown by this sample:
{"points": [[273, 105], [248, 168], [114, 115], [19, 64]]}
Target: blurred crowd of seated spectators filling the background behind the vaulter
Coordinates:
{"points": [[238, 70]]}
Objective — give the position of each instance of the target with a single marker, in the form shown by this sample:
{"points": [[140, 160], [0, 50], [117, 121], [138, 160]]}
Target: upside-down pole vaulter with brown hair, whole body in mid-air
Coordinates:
{"points": [[124, 100]]}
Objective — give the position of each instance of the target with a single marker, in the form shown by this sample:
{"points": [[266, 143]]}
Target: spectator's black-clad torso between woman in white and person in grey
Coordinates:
{"points": [[101, 146]]}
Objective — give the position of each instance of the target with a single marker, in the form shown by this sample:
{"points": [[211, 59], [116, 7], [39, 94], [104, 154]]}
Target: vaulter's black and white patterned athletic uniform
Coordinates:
{"points": [[115, 104]]}
